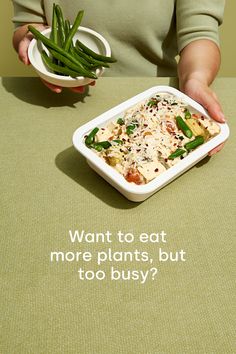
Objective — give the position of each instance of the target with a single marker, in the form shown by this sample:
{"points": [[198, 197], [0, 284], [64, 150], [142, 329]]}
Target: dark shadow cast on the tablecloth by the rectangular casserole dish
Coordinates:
{"points": [[74, 165]]}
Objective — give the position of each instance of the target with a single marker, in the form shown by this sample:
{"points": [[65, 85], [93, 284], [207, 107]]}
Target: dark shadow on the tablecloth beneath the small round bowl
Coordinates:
{"points": [[32, 91]]}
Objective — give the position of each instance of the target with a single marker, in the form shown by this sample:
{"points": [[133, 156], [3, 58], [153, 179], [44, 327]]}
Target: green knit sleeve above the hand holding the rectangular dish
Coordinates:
{"points": [[198, 19]]}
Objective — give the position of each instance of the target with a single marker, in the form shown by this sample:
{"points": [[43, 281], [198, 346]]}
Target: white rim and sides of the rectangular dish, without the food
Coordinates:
{"points": [[132, 191]]}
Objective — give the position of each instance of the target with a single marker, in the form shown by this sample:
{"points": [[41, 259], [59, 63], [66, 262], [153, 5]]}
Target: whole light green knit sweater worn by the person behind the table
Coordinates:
{"points": [[145, 38]]}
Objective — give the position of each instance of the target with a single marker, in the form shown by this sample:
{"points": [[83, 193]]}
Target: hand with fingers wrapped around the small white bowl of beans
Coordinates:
{"points": [[21, 41]]}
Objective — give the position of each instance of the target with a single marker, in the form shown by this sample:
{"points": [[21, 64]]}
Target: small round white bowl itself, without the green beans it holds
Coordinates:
{"points": [[90, 38]]}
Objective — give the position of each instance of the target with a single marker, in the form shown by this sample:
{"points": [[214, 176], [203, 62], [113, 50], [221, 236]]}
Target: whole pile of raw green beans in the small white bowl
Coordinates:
{"points": [[65, 57]]}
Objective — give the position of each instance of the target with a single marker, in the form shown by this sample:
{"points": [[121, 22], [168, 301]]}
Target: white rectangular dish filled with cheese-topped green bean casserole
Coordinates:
{"points": [[144, 143]]}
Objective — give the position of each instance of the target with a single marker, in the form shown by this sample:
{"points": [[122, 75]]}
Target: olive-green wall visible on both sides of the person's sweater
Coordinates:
{"points": [[10, 65]]}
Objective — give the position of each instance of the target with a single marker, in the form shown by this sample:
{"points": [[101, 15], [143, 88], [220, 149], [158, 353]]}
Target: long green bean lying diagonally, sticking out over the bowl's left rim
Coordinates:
{"points": [[49, 44]]}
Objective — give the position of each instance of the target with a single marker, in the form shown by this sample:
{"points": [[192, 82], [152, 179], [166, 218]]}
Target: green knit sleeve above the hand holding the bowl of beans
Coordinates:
{"points": [[28, 11]]}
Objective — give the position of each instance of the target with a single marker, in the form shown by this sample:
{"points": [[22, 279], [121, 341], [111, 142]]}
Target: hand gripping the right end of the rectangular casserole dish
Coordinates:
{"points": [[201, 93]]}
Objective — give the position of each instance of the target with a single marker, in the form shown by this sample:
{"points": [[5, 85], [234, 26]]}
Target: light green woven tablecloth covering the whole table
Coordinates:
{"points": [[47, 189]]}
